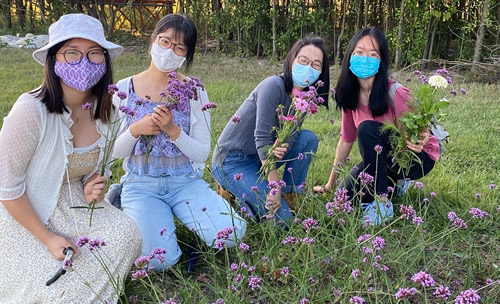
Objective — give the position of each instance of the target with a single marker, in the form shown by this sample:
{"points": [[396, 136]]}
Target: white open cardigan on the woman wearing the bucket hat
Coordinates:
{"points": [[34, 145]]}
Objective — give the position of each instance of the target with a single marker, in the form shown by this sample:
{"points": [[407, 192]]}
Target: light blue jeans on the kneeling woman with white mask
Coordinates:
{"points": [[153, 201]]}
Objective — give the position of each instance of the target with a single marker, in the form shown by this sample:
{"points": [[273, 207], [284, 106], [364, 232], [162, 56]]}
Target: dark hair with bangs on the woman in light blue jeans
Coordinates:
{"points": [[181, 25]]}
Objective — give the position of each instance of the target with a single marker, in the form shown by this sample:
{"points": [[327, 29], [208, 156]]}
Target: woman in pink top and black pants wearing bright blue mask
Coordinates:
{"points": [[362, 93]]}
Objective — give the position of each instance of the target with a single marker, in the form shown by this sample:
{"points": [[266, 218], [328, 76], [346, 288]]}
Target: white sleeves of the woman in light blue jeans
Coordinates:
{"points": [[195, 146]]}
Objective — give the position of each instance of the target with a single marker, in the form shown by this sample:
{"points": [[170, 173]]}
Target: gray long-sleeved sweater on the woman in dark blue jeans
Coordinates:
{"points": [[258, 117]]}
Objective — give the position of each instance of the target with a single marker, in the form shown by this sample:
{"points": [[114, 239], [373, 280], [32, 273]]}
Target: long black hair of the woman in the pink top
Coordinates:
{"points": [[347, 88]]}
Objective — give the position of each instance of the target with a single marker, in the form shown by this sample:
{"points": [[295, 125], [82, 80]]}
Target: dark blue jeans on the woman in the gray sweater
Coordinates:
{"points": [[254, 201]]}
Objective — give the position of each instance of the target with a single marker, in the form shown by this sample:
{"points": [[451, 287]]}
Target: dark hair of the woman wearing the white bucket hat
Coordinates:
{"points": [[51, 94]]}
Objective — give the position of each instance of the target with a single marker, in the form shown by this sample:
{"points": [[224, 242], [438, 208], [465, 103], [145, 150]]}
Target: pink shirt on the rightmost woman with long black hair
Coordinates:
{"points": [[351, 120]]}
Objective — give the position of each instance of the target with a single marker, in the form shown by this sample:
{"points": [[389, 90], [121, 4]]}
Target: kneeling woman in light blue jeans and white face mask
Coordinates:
{"points": [[167, 181]]}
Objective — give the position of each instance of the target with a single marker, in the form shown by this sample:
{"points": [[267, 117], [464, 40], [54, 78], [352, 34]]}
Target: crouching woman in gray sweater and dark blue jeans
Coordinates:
{"points": [[241, 148]]}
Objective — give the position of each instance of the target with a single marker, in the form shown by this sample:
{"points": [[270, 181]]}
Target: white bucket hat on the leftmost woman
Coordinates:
{"points": [[76, 26]]}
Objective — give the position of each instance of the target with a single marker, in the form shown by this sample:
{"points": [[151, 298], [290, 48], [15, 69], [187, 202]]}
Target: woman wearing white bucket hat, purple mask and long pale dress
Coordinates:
{"points": [[52, 146]]}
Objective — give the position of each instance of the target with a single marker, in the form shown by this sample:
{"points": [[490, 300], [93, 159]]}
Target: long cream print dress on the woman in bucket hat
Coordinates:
{"points": [[23, 279]]}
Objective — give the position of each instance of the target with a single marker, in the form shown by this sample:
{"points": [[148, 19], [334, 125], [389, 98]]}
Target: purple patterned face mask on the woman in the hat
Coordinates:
{"points": [[81, 76]]}
